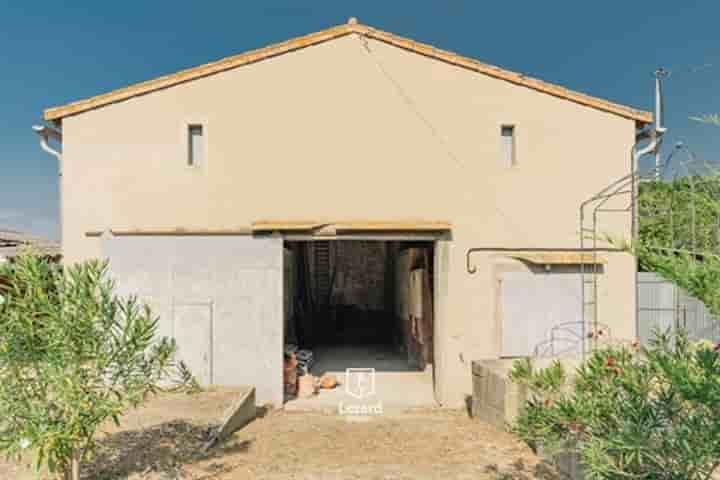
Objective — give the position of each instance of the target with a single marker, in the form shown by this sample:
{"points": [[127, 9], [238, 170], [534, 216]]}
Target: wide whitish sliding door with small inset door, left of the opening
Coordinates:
{"points": [[241, 277]]}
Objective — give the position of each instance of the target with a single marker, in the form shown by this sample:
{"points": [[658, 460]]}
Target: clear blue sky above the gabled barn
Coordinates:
{"points": [[55, 52]]}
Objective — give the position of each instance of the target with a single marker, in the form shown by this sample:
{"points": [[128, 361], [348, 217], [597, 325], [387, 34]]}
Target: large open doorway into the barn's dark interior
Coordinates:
{"points": [[362, 304]]}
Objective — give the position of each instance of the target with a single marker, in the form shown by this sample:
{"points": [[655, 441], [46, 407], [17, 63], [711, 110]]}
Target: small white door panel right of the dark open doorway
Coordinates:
{"points": [[532, 304]]}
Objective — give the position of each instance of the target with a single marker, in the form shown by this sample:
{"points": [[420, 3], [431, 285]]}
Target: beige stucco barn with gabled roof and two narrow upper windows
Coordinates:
{"points": [[356, 134]]}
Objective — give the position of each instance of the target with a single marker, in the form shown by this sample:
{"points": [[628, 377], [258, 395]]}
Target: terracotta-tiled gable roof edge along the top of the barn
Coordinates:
{"points": [[57, 113]]}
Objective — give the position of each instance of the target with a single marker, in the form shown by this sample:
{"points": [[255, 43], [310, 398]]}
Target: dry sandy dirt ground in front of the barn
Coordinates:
{"points": [[163, 440]]}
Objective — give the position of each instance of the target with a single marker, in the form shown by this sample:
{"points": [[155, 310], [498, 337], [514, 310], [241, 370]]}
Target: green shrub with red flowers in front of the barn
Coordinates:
{"points": [[630, 412]]}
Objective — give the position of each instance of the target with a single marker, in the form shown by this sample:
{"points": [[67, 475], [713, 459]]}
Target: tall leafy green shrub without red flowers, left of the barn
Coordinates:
{"points": [[73, 356]]}
